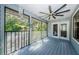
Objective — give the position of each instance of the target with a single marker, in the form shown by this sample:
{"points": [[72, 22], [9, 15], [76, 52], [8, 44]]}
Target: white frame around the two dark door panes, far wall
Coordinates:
{"points": [[59, 33]]}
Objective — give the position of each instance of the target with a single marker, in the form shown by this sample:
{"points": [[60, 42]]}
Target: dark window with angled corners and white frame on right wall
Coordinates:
{"points": [[76, 26]]}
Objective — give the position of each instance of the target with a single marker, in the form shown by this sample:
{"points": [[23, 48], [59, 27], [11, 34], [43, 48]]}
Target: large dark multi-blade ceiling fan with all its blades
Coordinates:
{"points": [[55, 13]]}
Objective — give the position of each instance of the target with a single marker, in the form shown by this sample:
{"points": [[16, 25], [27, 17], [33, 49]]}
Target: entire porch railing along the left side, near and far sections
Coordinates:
{"points": [[17, 40]]}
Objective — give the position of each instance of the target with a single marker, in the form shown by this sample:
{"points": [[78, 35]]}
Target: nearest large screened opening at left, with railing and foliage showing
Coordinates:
{"points": [[16, 30]]}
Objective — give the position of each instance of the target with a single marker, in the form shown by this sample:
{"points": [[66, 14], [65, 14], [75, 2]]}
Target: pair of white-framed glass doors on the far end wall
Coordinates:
{"points": [[61, 30]]}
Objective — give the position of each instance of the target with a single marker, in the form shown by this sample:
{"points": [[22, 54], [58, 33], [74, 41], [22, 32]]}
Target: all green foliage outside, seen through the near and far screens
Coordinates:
{"points": [[13, 23]]}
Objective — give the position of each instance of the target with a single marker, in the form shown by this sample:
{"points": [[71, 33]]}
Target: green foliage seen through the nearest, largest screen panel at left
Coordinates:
{"points": [[13, 23]]}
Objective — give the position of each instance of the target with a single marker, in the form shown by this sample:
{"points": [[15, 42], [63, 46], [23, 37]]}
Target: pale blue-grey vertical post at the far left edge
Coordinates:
{"points": [[2, 30]]}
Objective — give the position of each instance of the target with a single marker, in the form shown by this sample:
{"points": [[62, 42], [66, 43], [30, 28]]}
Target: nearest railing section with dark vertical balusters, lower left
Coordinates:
{"points": [[15, 40]]}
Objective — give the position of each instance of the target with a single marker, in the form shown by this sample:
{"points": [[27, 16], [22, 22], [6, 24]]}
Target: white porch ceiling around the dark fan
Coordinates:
{"points": [[37, 8]]}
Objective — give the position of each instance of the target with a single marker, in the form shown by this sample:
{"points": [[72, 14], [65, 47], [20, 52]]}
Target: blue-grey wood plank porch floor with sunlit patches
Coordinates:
{"points": [[48, 46]]}
